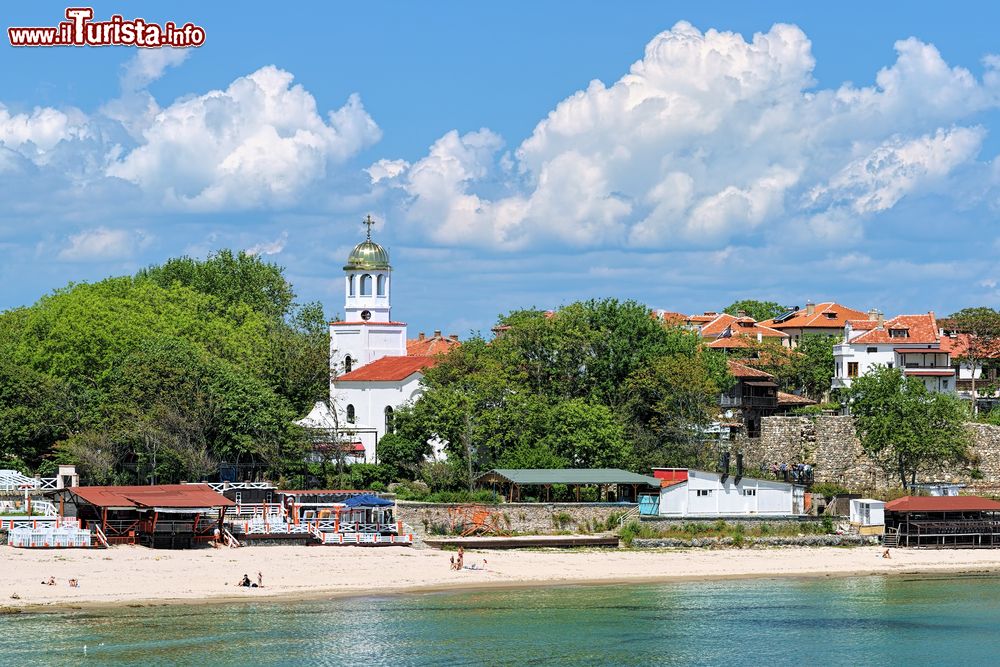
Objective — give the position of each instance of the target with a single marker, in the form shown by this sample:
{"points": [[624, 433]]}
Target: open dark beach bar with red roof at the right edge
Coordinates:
{"points": [[943, 522]]}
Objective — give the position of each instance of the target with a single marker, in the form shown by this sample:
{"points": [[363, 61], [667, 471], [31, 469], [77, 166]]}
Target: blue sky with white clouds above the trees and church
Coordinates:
{"points": [[520, 154]]}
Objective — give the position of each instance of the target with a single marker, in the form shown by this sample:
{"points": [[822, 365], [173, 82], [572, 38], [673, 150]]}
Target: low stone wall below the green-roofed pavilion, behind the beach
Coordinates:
{"points": [[524, 518]]}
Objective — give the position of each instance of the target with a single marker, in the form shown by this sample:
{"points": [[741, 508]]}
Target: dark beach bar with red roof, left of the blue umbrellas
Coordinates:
{"points": [[173, 516]]}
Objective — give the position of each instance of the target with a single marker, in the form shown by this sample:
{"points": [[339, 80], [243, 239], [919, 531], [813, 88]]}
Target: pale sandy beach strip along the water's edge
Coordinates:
{"points": [[137, 575]]}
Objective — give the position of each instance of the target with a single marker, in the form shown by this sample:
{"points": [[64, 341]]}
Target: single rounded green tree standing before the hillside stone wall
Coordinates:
{"points": [[903, 426]]}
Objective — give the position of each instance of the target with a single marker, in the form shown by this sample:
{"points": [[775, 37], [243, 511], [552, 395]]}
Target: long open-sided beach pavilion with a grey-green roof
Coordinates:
{"points": [[625, 486]]}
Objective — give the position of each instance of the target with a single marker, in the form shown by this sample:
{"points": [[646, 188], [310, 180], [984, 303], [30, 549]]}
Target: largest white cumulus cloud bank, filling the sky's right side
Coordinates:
{"points": [[708, 138]]}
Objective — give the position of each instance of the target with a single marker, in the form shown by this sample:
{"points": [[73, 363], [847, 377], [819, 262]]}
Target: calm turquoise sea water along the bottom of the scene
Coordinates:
{"points": [[867, 620]]}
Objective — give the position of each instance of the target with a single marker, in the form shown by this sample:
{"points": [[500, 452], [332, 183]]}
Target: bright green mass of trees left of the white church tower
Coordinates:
{"points": [[162, 376]]}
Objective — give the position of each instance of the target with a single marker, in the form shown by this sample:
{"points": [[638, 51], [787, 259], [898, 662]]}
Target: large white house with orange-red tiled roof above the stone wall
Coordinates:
{"points": [[909, 342]]}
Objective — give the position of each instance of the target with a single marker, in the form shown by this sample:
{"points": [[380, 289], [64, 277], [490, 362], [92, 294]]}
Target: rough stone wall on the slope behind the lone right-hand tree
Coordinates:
{"points": [[830, 445]]}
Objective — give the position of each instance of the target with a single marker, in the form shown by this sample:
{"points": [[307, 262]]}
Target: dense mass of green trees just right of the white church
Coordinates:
{"points": [[596, 384]]}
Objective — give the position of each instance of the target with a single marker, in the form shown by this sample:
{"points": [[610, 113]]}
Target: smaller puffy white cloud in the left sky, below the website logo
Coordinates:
{"points": [[259, 142]]}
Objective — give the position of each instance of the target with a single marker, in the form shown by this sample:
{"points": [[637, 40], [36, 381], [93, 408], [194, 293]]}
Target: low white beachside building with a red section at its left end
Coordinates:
{"points": [[699, 493]]}
